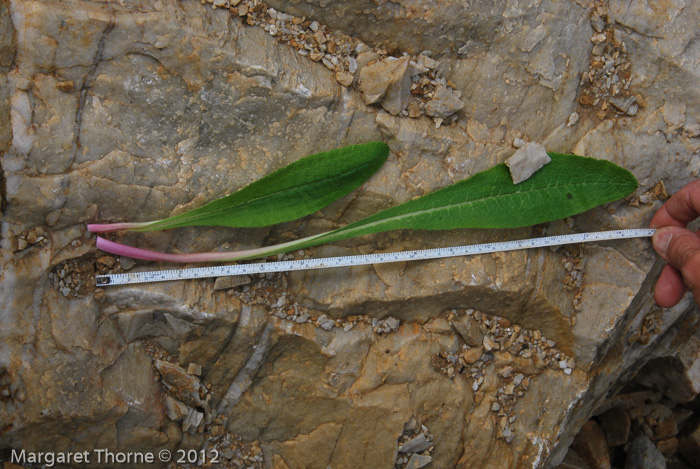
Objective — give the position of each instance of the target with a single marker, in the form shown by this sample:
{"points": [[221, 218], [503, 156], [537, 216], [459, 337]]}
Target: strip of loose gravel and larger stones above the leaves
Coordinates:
{"points": [[416, 90]]}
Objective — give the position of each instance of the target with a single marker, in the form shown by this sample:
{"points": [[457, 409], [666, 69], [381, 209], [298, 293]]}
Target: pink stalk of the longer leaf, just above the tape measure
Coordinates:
{"points": [[138, 253]]}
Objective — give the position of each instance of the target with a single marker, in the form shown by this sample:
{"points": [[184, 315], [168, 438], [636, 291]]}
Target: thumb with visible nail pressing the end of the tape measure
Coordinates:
{"points": [[681, 248]]}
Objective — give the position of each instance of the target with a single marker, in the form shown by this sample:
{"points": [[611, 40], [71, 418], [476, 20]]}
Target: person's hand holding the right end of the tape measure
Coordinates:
{"points": [[679, 246]]}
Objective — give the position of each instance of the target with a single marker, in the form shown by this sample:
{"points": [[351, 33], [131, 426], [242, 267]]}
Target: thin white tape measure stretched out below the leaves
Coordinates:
{"points": [[365, 259]]}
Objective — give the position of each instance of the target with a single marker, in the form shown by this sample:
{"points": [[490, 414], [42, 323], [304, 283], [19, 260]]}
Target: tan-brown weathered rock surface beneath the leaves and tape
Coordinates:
{"points": [[140, 110]]}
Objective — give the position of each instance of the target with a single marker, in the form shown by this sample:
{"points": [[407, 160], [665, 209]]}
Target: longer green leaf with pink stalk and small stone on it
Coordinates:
{"points": [[568, 185]]}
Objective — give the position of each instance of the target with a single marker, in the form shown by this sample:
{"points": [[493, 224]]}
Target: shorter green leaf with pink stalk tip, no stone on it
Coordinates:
{"points": [[294, 191]]}
